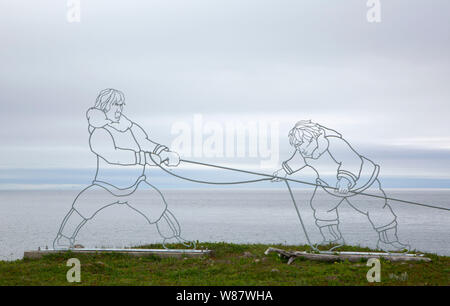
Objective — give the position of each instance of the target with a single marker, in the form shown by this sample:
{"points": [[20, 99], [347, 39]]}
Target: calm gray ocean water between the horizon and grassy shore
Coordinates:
{"points": [[30, 219]]}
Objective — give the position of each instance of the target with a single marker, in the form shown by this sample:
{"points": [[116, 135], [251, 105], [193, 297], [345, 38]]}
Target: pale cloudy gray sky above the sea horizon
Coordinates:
{"points": [[385, 86]]}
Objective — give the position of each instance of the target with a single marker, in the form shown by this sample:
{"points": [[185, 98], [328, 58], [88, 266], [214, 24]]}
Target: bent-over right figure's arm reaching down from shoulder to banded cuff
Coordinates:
{"points": [[350, 163]]}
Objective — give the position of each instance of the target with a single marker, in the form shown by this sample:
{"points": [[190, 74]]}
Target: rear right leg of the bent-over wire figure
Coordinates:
{"points": [[381, 216]]}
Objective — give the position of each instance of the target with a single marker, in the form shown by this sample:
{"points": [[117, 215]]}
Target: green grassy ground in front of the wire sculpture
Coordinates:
{"points": [[231, 264]]}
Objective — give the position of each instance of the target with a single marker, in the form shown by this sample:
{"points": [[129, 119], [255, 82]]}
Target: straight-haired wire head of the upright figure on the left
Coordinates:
{"points": [[111, 102]]}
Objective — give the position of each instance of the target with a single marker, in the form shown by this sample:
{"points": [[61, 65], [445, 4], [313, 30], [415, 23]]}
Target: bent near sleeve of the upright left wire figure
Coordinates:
{"points": [[102, 144]]}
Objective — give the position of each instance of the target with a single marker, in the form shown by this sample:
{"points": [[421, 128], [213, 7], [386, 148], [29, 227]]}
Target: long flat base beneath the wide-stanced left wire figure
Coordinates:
{"points": [[163, 253]]}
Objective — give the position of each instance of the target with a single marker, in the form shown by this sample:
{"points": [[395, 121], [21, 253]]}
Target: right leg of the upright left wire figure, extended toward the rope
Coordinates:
{"points": [[148, 201]]}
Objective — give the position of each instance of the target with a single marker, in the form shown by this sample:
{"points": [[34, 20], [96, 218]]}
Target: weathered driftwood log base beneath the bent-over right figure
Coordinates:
{"points": [[292, 255]]}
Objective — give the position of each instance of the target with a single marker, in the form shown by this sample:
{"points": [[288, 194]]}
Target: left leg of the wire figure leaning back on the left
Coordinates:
{"points": [[82, 210]]}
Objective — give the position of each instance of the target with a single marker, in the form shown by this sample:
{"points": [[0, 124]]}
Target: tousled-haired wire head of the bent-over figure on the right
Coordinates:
{"points": [[308, 138]]}
